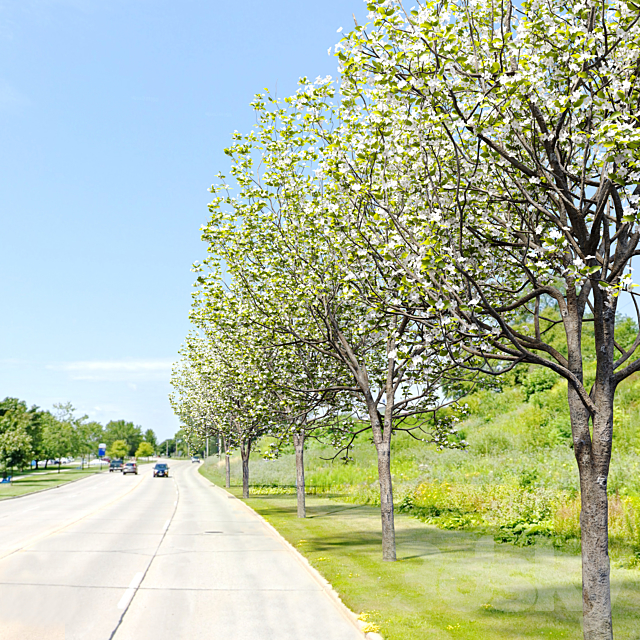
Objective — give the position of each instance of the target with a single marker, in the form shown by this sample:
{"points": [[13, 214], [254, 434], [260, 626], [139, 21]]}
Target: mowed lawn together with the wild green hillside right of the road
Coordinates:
{"points": [[488, 538]]}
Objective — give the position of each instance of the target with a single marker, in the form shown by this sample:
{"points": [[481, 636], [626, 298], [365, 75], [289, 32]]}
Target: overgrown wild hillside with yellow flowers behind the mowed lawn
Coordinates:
{"points": [[517, 481]]}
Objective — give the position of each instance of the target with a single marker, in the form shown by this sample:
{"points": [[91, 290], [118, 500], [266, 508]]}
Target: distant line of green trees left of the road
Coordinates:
{"points": [[38, 435]]}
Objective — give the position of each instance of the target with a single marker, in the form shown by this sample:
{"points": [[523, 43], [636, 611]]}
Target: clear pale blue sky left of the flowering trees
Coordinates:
{"points": [[113, 119]]}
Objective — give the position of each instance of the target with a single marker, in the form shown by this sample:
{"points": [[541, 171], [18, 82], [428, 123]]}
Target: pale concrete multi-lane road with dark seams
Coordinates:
{"points": [[137, 558]]}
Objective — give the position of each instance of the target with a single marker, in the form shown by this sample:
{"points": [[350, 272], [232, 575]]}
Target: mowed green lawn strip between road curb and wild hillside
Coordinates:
{"points": [[445, 584]]}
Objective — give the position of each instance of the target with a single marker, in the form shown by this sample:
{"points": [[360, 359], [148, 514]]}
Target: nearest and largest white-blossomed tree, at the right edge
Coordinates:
{"points": [[509, 139]]}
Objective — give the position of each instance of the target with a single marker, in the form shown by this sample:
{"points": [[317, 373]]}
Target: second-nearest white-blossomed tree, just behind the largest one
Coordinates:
{"points": [[282, 251]]}
